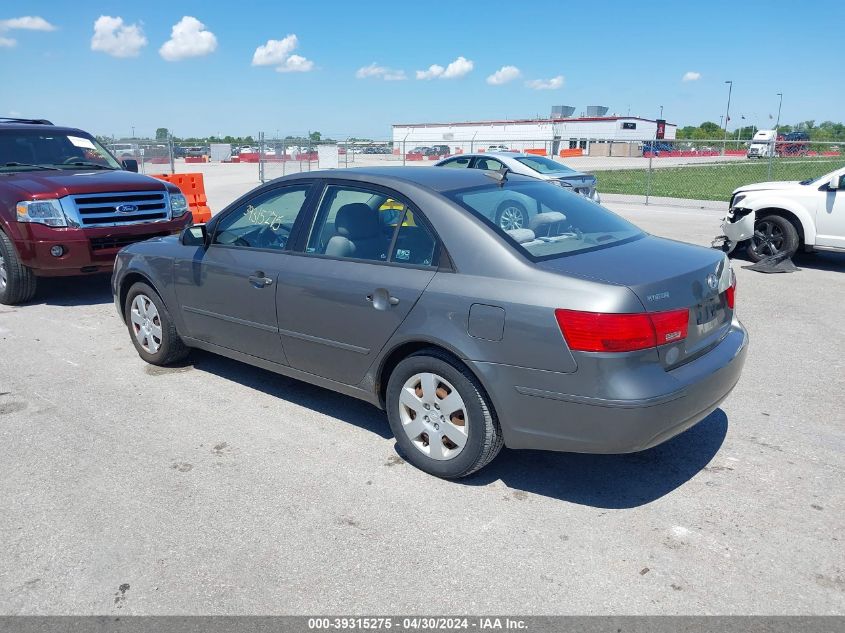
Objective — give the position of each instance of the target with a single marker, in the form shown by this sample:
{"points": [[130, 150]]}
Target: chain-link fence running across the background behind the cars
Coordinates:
{"points": [[685, 172]]}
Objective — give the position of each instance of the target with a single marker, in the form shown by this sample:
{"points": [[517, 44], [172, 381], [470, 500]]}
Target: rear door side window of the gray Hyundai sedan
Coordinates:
{"points": [[359, 223]]}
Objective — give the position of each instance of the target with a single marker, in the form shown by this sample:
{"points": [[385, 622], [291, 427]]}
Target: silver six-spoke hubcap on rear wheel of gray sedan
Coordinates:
{"points": [[433, 416]]}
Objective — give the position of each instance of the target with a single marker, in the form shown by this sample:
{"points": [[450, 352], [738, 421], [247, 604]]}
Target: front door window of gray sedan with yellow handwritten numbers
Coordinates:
{"points": [[266, 221]]}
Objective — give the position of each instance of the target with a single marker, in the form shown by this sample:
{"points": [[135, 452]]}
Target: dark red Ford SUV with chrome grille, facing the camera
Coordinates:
{"points": [[67, 206]]}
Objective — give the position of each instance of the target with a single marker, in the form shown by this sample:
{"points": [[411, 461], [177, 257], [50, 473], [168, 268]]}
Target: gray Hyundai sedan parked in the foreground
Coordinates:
{"points": [[396, 285]]}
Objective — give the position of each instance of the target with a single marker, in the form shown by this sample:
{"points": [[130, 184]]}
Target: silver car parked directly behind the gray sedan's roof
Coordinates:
{"points": [[517, 217]]}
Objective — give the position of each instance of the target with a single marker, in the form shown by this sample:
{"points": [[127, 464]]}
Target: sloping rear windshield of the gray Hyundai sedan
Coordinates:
{"points": [[553, 222]]}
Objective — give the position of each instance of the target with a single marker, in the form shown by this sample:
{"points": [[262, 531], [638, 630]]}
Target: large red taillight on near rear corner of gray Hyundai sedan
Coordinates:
{"points": [[604, 332]]}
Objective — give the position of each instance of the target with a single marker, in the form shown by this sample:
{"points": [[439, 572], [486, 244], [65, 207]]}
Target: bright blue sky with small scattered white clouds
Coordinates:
{"points": [[631, 56]]}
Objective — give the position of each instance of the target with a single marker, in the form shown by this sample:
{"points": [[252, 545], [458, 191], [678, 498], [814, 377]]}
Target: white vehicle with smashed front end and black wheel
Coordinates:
{"points": [[777, 218]]}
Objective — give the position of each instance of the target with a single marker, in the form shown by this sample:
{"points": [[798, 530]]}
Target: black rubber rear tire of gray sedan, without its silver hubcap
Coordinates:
{"points": [[483, 433]]}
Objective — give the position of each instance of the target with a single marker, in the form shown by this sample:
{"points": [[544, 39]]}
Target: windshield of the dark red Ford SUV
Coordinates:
{"points": [[28, 149]]}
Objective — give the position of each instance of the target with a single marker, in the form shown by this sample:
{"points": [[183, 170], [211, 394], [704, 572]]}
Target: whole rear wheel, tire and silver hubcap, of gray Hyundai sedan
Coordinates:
{"points": [[441, 417]]}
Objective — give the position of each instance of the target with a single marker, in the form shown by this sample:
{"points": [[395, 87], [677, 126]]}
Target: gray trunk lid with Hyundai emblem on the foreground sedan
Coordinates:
{"points": [[665, 275]]}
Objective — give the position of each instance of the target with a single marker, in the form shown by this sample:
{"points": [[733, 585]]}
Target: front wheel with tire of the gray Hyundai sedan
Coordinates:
{"points": [[151, 329]]}
